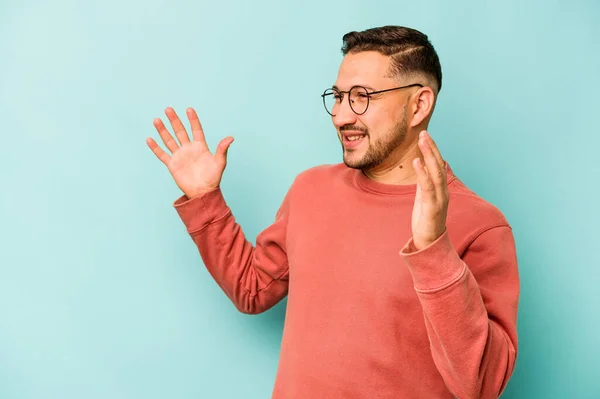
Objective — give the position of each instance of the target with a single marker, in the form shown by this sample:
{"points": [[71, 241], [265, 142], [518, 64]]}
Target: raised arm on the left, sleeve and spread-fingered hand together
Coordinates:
{"points": [[254, 278]]}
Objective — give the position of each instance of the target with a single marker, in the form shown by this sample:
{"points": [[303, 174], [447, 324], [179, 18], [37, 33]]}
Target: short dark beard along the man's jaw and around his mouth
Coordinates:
{"points": [[379, 150]]}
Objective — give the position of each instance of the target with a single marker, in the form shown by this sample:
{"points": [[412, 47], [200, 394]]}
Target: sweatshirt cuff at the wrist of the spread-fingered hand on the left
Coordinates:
{"points": [[199, 212]]}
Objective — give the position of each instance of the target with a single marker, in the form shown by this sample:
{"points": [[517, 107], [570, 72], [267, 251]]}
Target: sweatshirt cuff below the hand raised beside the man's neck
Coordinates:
{"points": [[434, 267]]}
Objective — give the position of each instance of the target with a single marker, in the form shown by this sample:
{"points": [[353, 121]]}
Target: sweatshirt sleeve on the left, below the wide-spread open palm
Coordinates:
{"points": [[255, 278]]}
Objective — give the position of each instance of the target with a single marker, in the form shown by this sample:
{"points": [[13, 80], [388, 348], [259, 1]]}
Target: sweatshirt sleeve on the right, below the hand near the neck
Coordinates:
{"points": [[470, 309]]}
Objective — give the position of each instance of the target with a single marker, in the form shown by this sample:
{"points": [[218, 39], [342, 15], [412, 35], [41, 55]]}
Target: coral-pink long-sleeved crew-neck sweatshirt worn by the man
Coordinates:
{"points": [[368, 316]]}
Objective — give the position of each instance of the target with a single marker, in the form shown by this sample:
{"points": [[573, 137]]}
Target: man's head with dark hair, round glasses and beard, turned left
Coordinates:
{"points": [[389, 57]]}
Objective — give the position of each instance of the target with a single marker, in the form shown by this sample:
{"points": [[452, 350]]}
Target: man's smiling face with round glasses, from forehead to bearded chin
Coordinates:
{"points": [[383, 126]]}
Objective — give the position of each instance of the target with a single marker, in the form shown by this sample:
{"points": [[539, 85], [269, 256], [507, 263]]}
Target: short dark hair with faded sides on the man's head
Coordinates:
{"points": [[410, 50]]}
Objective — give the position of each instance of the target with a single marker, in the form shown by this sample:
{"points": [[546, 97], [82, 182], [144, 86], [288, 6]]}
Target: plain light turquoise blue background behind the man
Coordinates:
{"points": [[102, 293]]}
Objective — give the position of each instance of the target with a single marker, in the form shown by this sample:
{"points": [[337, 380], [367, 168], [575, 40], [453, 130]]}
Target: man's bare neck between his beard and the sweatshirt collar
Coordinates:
{"points": [[398, 169]]}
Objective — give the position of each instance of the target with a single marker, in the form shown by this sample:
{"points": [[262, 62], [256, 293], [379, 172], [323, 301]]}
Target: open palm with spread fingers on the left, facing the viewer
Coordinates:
{"points": [[194, 168]]}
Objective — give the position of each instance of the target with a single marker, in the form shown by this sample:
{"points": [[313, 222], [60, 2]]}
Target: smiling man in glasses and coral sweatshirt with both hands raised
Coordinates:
{"points": [[401, 282]]}
